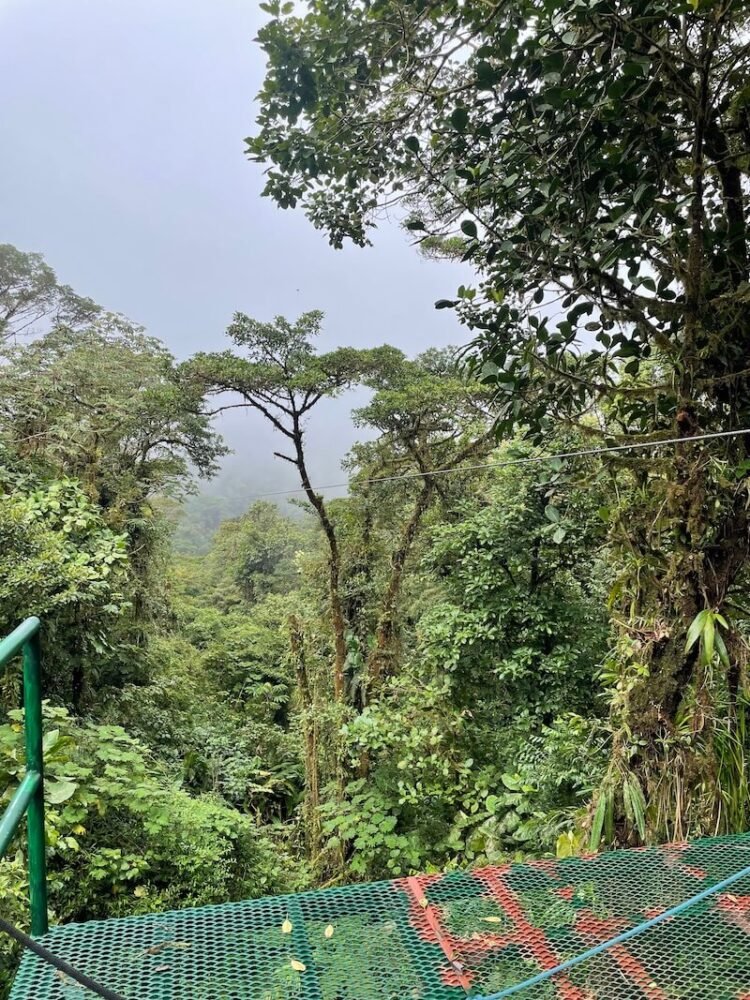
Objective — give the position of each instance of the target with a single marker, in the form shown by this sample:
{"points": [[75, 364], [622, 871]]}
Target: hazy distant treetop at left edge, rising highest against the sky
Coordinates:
{"points": [[31, 294]]}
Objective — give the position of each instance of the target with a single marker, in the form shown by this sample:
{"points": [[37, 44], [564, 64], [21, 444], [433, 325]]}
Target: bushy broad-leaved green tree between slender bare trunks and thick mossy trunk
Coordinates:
{"points": [[499, 683]]}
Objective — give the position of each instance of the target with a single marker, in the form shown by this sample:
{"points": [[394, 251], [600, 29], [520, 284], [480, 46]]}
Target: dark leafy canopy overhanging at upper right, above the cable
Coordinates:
{"points": [[589, 158]]}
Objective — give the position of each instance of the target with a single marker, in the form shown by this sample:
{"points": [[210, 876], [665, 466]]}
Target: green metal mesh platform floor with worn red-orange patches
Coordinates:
{"points": [[436, 937]]}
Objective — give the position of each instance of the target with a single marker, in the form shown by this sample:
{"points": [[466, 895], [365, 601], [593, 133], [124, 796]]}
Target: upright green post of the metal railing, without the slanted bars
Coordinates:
{"points": [[32, 700]]}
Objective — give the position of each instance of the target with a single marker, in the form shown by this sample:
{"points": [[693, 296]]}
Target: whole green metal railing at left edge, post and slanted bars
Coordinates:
{"points": [[29, 796]]}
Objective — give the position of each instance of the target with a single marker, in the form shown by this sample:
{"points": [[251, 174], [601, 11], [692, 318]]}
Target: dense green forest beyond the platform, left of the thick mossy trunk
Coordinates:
{"points": [[364, 686]]}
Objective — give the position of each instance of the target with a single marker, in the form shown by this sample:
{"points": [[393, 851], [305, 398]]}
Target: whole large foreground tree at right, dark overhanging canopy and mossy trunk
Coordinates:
{"points": [[589, 158]]}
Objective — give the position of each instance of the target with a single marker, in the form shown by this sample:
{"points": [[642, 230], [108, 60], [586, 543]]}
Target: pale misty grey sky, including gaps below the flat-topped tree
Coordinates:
{"points": [[121, 124]]}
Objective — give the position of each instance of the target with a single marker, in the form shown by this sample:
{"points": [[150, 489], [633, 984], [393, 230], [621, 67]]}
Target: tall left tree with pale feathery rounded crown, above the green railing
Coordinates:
{"points": [[101, 407]]}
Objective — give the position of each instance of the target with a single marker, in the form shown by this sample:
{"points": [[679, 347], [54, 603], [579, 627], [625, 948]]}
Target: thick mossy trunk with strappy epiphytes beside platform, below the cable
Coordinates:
{"points": [[676, 707]]}
